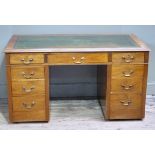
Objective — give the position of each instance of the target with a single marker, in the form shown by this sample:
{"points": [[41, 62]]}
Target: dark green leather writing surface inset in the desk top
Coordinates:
{"points": [[81, 41]]}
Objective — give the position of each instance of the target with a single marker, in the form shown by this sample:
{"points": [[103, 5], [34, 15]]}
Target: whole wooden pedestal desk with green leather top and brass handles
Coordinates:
{"points": [[122, 64]]}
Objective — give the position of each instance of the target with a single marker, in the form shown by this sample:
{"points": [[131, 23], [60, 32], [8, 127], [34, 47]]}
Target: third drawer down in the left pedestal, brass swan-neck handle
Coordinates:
{"points": [[28, 87]]}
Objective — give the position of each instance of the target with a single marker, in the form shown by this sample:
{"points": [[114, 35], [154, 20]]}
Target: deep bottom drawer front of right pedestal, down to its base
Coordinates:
{"points": [[126, 106]]}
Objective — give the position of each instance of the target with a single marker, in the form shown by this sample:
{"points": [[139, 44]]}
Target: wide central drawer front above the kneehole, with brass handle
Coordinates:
{"points": [[77, 58]]}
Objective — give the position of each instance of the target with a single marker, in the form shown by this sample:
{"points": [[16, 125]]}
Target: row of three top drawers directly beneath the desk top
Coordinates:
{"points": [[76, 58]]}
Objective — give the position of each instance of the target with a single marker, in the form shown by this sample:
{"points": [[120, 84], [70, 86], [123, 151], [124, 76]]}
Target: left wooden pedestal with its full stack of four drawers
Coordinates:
{"points": [[28, 94]]}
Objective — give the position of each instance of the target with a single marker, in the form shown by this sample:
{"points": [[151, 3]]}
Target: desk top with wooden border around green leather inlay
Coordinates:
{"points": [[75, 43]]}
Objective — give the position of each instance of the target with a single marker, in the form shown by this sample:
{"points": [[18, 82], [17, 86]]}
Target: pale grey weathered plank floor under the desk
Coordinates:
{"points": [[81, 115]]}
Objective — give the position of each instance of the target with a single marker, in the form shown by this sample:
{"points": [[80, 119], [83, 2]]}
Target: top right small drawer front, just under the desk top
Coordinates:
{"points": [[128, 57]]}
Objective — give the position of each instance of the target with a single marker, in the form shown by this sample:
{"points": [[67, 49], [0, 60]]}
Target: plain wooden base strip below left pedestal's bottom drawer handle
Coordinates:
{"points": [[29, 116]]}
